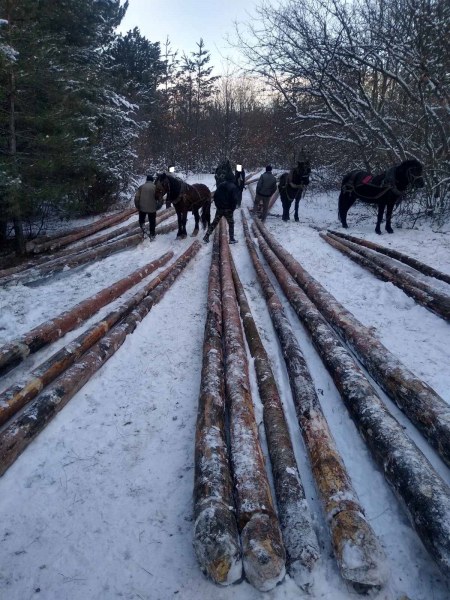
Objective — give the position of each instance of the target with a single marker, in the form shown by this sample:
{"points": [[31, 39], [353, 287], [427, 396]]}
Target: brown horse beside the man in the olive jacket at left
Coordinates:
{"points": [[185, 198]]}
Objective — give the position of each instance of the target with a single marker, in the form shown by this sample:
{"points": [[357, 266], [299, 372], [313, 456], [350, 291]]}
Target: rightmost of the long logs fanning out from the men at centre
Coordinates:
{"points": [[420, 403]]}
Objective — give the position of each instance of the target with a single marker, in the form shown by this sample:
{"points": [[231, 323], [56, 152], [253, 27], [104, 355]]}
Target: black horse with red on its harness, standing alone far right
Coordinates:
{"points": [[384, 189]]}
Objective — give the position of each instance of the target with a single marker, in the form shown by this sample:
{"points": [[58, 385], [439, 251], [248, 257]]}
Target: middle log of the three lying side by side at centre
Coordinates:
{"points": [[262, 544]]}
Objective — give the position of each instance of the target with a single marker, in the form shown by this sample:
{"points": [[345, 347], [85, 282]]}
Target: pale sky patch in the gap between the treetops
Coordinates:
{"points": [[186, 21]]}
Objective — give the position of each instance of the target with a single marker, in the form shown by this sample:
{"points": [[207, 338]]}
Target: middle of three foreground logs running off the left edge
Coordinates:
{"points": [[19, 394]]}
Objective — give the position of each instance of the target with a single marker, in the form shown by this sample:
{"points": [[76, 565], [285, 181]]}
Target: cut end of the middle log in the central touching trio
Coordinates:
{"points": [[263, 552]]}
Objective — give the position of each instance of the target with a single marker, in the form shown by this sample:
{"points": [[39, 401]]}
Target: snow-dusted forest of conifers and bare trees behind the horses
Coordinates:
{"points": [[85, 112]]}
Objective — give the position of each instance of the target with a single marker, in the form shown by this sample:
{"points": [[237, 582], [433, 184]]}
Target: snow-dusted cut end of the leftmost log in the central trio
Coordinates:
{"points": [[216, 545]]}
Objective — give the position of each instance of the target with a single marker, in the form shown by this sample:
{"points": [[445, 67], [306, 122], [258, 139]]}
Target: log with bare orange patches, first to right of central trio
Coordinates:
{"points": [[359, 555]]}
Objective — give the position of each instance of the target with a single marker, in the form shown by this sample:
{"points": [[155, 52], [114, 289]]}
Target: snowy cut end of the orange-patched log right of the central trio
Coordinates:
{"points": [[359, 555]]}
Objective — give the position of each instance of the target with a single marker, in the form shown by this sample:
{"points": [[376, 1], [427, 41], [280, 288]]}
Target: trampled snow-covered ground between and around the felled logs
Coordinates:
{"points": [[99, 506]]}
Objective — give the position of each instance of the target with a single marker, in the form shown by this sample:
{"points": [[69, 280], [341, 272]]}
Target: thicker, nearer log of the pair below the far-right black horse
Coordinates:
{"points": [[424, 295]]}
